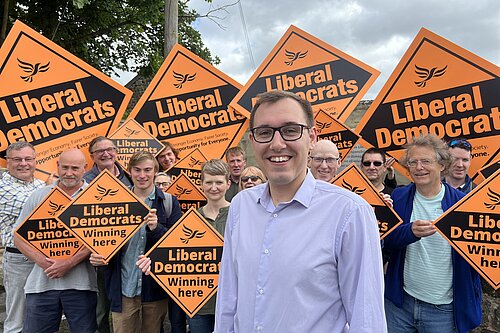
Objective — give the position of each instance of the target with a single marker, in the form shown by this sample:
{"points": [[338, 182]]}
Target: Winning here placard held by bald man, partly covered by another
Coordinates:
{"points": [[43, 232]]}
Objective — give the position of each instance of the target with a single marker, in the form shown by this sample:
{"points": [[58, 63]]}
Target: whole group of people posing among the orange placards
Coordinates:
{"points": [[300, 254]]}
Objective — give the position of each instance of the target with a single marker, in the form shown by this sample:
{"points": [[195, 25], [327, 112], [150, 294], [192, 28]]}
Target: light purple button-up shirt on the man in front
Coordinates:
{"points": [[309, 265]]}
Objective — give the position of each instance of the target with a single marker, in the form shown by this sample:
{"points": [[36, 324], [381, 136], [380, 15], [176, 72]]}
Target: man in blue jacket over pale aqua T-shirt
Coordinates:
{"points": [[429, 286]]}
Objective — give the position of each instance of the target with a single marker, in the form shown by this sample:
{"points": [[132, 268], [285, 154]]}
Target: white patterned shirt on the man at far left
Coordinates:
{"points": [[13, 195]]}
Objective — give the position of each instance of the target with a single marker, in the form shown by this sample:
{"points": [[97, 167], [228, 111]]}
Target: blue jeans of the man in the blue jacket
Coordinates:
{"points": [[419, 316]]}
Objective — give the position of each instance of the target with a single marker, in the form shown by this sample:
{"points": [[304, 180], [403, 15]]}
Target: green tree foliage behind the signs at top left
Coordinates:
{"points": [[110, 34]]}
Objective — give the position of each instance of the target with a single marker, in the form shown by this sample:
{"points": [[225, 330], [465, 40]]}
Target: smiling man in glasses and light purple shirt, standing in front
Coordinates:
{"points": [[300, 255]]}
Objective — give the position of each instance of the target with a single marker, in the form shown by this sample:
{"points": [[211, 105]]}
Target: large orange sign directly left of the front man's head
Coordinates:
{"points": [[187, 103]]}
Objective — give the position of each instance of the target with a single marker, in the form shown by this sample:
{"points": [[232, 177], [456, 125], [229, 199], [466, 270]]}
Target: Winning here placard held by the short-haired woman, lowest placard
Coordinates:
{"points": [[186, 261]]}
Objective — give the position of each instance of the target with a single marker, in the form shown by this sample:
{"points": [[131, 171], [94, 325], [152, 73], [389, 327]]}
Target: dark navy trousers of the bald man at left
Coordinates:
{"points": [[44, 311]]}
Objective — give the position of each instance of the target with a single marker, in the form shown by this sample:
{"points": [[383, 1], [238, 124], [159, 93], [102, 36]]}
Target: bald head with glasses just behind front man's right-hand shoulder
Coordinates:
{"points": [[324, 160]]}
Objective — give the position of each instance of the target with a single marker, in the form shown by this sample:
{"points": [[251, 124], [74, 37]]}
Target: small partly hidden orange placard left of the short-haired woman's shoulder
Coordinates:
{"points": [[187, 192]]}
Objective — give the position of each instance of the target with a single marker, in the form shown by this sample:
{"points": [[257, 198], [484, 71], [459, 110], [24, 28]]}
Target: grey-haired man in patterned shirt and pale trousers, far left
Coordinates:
{"points": [[16, 185]]}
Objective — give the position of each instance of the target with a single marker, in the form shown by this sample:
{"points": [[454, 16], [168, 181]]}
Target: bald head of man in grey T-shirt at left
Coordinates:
{"points": [[71, 168]]}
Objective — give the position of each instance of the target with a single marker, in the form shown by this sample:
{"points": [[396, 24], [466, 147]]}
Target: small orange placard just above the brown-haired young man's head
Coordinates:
{"points": [[131, 137]]}
